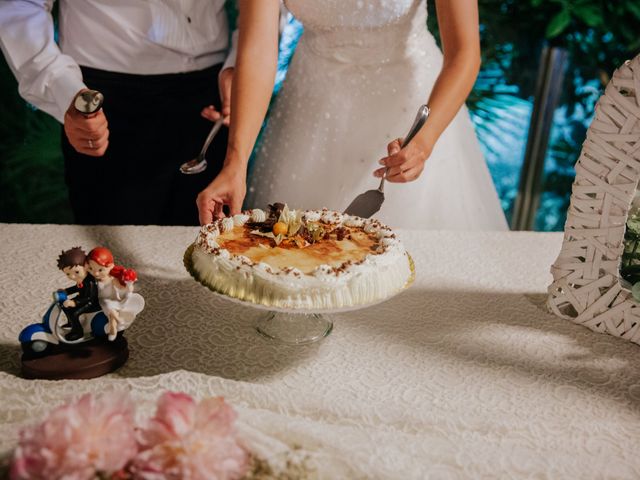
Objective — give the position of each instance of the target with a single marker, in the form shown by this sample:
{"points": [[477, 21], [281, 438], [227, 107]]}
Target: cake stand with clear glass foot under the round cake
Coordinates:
{"points": [[292, 326]]}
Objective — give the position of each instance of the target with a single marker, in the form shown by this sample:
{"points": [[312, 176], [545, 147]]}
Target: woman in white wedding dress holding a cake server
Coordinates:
{"points": [[360, 71]]}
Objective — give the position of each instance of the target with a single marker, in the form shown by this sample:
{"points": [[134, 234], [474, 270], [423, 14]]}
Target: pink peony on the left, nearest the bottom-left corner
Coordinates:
{"points": [[78, 440]]}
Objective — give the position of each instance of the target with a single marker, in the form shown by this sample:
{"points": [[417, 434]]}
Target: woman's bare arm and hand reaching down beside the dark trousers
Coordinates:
{"points": [[252, 86]]}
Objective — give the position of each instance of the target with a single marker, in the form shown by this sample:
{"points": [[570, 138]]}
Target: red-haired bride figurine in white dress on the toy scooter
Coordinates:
{"points": [[115, 290]]}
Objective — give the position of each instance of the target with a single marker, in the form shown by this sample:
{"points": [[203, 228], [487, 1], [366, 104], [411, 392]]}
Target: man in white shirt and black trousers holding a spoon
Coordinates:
{"points": [[159, 64]]}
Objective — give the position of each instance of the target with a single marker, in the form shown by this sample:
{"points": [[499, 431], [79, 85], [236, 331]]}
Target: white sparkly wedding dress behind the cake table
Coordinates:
{"points": [[359, 73]]}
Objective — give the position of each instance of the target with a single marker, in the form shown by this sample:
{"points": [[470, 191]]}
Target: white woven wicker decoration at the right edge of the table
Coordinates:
{"points": [[586, 286]]}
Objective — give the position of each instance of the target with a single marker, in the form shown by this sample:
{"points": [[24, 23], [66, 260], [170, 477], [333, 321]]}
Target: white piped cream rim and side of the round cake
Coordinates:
{"points": [[376, 277]]}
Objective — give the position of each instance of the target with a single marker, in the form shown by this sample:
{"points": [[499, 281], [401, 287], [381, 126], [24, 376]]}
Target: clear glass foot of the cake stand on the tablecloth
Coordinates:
{"points": [[294, 328]]}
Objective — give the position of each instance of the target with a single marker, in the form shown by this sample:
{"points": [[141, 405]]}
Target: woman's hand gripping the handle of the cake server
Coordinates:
{"points": [[404, 164]]}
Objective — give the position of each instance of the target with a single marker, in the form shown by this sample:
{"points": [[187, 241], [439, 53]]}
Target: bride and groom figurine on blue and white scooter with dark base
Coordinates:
{"points": [[79, 335]]}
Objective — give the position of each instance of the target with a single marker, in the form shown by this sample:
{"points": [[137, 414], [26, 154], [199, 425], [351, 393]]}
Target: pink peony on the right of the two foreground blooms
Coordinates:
{"points": [[190, 441]]}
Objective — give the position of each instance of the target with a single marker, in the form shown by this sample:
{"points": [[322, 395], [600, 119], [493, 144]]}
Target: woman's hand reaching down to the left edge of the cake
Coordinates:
{"points": [[228, 188]]}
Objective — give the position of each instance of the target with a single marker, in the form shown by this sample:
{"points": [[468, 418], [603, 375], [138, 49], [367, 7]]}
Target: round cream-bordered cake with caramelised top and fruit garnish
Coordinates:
{"points": [[301, 259]]}
